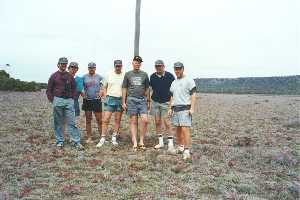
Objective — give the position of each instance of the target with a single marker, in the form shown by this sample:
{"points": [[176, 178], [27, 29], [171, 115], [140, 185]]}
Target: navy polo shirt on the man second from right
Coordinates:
{"points": [[161, 87]]}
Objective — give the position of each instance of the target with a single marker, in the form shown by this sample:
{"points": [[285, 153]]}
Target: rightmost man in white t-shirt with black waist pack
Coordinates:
{"points": [[183, 92]]}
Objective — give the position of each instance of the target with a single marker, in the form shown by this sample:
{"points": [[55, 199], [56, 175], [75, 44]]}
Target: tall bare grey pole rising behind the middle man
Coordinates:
{"points": [[137, 28]]}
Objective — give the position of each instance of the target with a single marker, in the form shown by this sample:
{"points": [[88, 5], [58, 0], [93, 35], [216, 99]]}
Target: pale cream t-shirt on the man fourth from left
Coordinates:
{"points": [[114, 81]]}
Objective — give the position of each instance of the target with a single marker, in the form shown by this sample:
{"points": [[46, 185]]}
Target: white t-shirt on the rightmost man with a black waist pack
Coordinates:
{"points": [[181, 89]]}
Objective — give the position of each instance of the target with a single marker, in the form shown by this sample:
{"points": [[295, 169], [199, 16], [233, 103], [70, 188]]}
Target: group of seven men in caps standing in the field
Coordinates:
{"points": [[166, 98]]}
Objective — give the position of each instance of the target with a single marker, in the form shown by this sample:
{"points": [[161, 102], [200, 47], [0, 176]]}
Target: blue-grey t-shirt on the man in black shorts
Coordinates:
{"points": [[92, 85]]}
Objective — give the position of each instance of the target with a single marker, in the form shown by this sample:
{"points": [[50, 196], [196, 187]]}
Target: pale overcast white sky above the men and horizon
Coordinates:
{"points": [[213, 38]]}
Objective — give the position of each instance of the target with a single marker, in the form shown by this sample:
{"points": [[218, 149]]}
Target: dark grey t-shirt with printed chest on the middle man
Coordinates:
{"points": [[136, 83]]}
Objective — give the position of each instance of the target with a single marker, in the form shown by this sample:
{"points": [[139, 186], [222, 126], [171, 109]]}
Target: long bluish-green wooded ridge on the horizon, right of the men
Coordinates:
{"points": [[285, 85]]}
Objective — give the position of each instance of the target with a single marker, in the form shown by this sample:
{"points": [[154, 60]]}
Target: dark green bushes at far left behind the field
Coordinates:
{"points": [[10, 84]]}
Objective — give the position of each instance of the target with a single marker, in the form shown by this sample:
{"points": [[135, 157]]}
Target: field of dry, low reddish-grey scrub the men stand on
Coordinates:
{"points": [[244, 147]]}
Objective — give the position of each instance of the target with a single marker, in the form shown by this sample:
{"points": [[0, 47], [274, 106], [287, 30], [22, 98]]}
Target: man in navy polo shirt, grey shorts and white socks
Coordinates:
{"points": [[160, 83]]}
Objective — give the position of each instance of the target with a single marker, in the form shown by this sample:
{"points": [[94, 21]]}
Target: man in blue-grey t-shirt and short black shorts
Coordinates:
{"points": [[92, 83]]}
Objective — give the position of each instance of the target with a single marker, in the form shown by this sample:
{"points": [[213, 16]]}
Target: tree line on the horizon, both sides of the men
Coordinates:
{"points": [[281, 85]]}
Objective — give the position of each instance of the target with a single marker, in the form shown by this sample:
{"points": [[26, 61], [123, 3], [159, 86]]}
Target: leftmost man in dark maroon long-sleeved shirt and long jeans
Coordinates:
{"points": [[61, 92]]}
